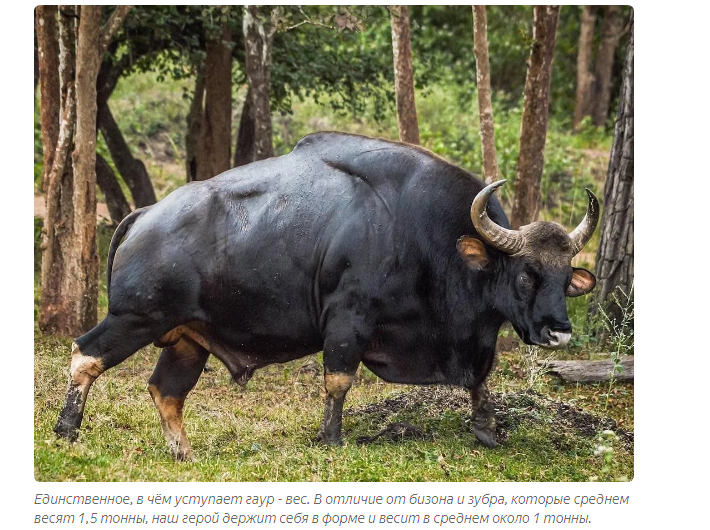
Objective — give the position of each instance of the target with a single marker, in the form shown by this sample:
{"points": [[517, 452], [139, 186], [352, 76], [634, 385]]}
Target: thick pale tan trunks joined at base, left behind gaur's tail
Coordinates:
{"points": [[69, 258]]}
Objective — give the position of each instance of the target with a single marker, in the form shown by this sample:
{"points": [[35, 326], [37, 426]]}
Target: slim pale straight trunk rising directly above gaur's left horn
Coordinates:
{"points": [[485, 105]]}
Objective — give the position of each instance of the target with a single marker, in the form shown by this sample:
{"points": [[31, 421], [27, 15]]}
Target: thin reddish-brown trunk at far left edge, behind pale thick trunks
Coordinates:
{"points": [[48, 57]]}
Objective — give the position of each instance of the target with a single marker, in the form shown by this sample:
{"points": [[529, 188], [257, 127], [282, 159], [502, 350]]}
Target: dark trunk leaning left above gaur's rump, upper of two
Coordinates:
{"points": [[133, 171]]}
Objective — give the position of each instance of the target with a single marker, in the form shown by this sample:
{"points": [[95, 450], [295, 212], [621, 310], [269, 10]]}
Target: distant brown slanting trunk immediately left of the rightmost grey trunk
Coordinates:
{"points": [[612, 29]]}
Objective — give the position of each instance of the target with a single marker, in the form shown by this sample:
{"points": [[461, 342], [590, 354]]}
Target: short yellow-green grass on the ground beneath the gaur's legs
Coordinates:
{"points": [[264, 432]]}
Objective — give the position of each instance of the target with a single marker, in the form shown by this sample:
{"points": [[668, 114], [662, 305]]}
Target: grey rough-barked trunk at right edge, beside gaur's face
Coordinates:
{"points": [[615, 257]]}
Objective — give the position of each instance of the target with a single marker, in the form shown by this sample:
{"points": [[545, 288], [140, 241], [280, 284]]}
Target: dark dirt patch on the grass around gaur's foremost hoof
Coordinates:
{"points": [[512, 410]]}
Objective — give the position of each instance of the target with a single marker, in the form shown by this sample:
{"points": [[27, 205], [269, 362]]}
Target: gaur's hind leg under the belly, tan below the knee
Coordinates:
{"points": [[176, 373]]}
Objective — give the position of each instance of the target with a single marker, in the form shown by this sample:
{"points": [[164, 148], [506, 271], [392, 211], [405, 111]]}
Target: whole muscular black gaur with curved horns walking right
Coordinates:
{"points": [[359, 247]]}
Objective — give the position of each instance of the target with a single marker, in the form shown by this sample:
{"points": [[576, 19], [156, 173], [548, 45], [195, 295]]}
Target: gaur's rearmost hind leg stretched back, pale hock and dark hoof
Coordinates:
{"points": [[115, 339]]}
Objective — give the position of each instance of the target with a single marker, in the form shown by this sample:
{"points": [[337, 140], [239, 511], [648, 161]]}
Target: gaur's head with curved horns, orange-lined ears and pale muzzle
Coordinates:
{"points": [[535, 273]]}
